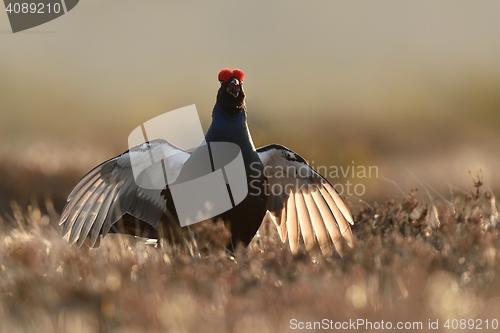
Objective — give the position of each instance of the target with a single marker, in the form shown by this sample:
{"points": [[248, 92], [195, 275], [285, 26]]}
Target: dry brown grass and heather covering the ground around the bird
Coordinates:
{"points": [[413, 261]]}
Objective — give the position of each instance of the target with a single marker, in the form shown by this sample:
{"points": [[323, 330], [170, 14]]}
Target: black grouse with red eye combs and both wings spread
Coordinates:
{"points": [[282, 187]]}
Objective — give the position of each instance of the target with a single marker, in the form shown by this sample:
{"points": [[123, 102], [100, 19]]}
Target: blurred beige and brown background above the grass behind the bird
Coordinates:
{"points": [[411, 88]]}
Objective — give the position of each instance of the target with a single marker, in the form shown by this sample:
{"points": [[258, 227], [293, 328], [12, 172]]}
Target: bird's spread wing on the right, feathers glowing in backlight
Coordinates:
{"points": [[301, 201]]}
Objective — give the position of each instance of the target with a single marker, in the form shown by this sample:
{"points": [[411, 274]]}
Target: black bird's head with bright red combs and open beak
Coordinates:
{"points": [[231, 95]]}
